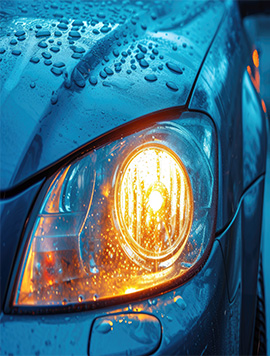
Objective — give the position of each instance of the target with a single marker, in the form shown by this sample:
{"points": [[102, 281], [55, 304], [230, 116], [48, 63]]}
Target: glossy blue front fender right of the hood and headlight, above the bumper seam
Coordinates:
{"points": [[233, 104]]}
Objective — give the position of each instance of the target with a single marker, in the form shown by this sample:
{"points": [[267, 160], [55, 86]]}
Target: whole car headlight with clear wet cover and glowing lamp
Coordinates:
{"points": [[134, 215]]}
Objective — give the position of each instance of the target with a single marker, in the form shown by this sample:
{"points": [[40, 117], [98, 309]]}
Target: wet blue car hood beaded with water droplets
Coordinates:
{"points": [[72, 71]]}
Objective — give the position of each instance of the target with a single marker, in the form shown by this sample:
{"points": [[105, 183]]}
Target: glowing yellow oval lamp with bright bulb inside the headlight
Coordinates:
{"points": [[154, 203]]}
